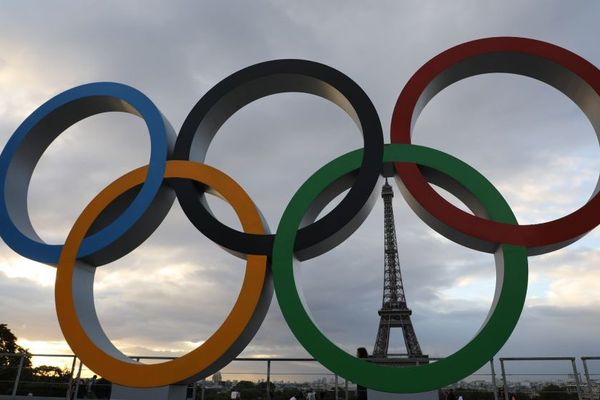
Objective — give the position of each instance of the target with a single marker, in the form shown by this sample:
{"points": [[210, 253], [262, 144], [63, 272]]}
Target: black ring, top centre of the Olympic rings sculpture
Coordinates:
{"points": [[261, 80]]}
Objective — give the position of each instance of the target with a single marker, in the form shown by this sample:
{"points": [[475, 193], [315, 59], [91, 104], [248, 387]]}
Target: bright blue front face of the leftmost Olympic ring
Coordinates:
{"points": [[97, 94]]}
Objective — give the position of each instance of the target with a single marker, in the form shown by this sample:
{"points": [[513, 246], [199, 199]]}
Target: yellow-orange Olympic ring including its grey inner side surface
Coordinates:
{"points": [[75, 298]]}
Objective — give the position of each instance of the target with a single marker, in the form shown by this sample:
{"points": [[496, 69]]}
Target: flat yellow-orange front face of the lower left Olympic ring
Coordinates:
{"points": [[128, 372]]}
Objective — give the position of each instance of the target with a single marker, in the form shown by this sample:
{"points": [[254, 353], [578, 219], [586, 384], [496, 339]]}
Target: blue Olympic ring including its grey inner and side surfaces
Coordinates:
{"points": [[118, 232]]}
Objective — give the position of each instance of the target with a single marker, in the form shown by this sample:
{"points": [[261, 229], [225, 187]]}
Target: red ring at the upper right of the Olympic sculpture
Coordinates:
{"points": [[491, 55]]}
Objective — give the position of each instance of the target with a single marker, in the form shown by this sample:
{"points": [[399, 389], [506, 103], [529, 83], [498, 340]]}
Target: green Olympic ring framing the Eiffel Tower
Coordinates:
{"points": [[503, 316]]}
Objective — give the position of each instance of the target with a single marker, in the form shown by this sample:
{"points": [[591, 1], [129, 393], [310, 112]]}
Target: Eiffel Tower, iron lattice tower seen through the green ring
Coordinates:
{"points": [[394, 312]]}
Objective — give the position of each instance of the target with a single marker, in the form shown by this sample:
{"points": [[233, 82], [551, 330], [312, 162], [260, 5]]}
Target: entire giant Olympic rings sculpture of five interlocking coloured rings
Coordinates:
{"points": [[126, 212]]}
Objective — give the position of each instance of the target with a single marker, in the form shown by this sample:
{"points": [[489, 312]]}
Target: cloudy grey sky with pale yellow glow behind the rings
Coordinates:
{"points": [[172, 292]]}
